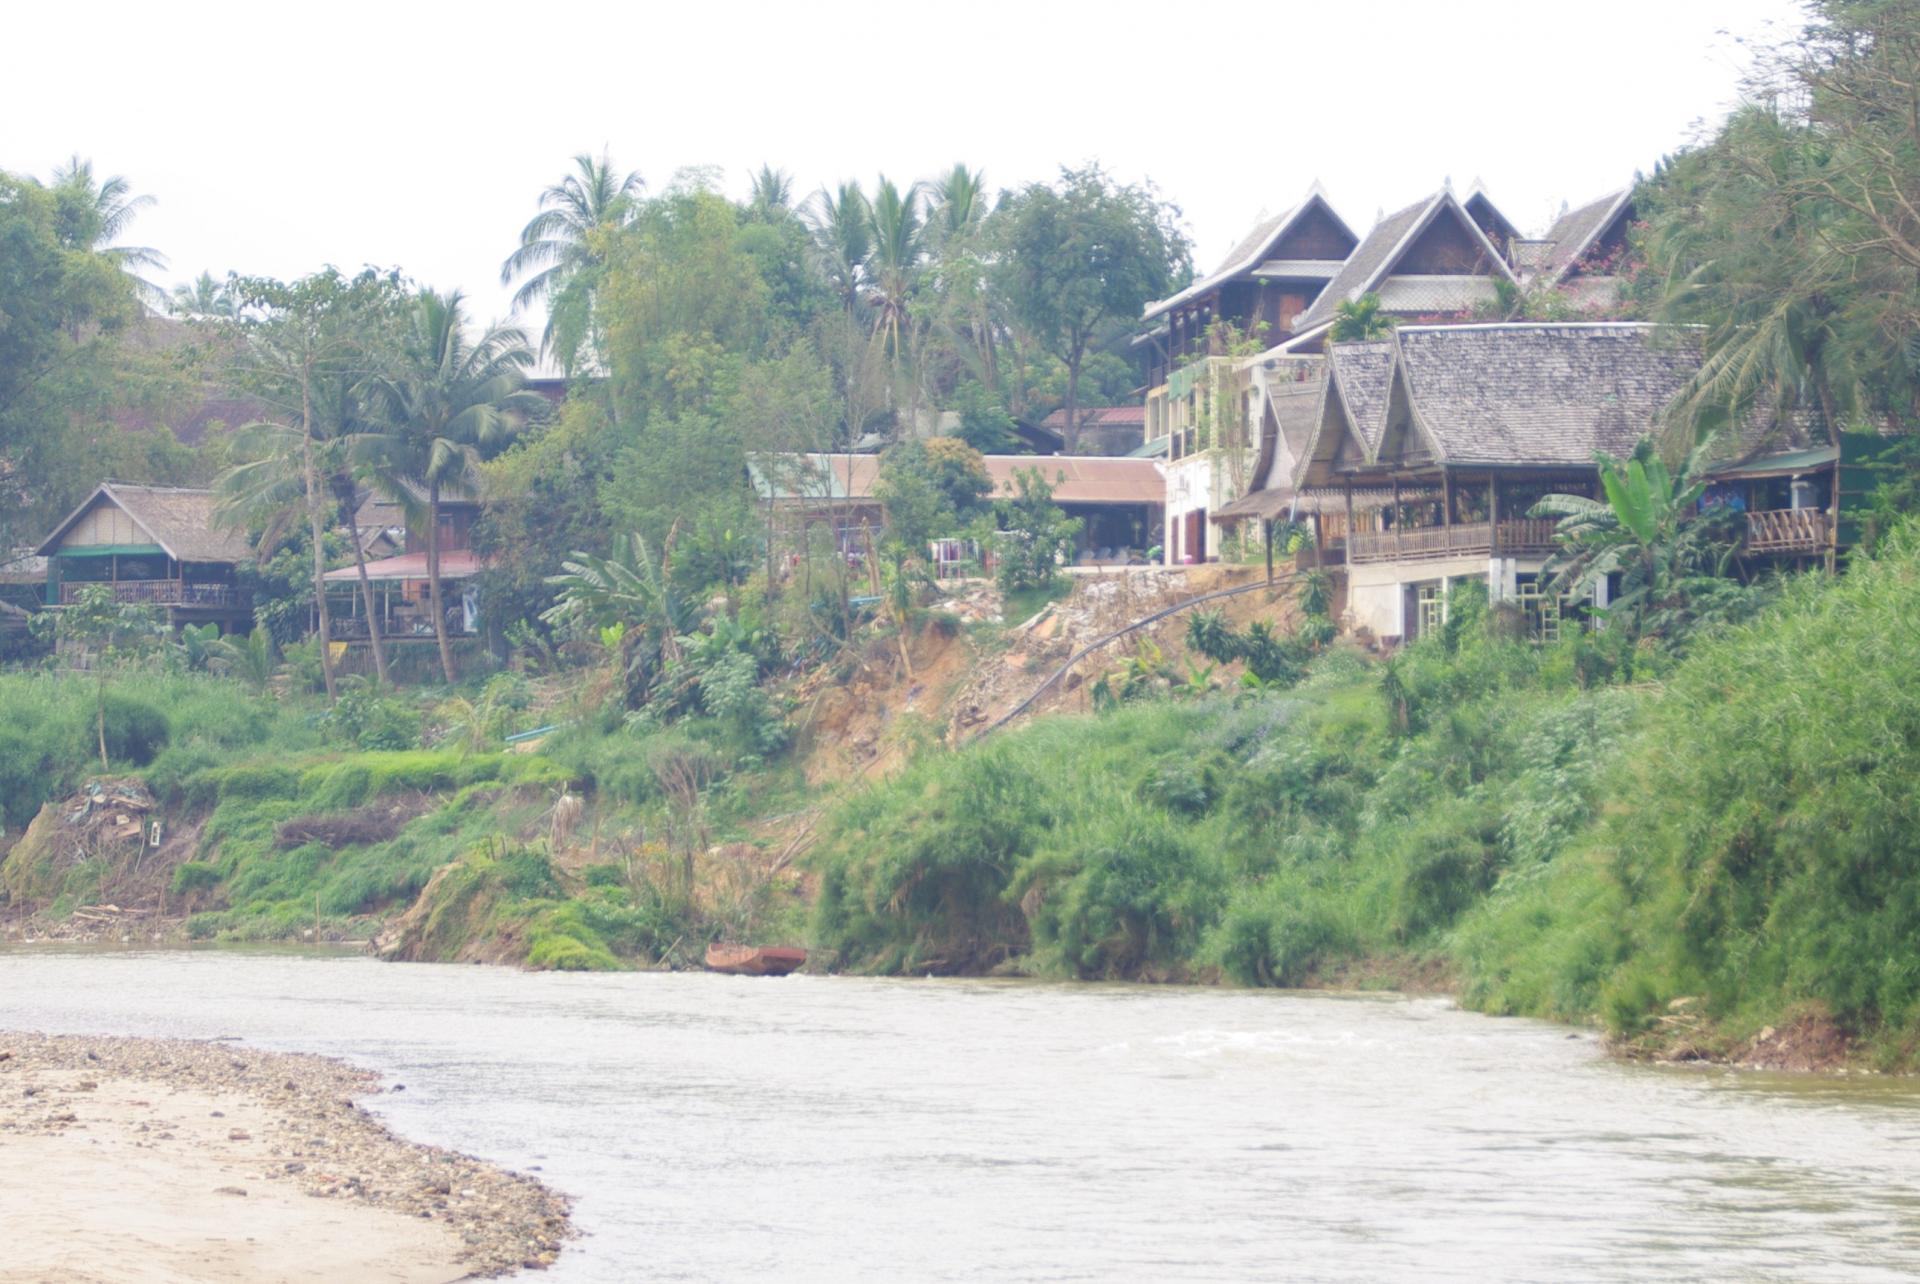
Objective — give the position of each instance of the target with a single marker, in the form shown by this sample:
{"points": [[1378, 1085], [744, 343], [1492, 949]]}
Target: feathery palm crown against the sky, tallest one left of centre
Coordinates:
{"points": [[558, 254]]}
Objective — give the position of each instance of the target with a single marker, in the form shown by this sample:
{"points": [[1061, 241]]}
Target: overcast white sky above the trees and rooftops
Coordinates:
{"points": [[279, 139]]}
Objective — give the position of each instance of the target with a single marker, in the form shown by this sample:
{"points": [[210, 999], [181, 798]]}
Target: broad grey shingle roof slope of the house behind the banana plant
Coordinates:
{"points": [[1539, 394]]}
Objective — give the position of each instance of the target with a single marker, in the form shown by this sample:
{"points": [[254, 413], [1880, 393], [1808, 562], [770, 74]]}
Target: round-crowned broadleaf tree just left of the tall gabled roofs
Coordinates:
{"points": [[1082, 258]]}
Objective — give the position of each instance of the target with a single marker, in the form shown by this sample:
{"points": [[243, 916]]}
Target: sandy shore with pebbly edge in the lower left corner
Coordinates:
{"points": [[160, 1162]]}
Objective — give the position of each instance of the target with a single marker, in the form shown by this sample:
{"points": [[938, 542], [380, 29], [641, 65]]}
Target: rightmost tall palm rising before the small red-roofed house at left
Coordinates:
{"points": [[454, 404]]}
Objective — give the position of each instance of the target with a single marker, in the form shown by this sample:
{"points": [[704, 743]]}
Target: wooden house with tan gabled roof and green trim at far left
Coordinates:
{"points": [[153, 544]]}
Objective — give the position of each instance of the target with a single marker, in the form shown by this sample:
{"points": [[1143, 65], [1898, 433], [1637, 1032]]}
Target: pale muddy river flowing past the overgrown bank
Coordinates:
{"points": [[838, 1129]]}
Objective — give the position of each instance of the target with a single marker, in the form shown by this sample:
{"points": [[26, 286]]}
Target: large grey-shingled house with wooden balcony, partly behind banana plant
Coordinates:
{"points": [[1431, 448]]}
